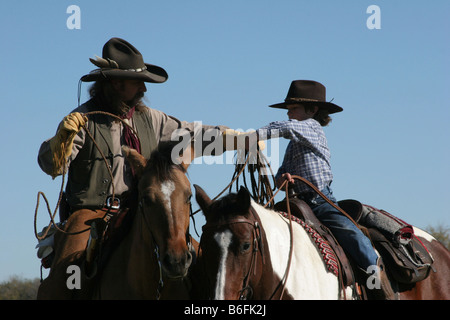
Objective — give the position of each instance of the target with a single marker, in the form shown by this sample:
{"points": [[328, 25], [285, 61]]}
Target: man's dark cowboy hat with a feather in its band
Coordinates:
{"points": [[121, 60]]}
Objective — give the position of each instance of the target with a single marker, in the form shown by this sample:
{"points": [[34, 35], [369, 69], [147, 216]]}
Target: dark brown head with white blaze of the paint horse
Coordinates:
{"points": [[231, 243]]}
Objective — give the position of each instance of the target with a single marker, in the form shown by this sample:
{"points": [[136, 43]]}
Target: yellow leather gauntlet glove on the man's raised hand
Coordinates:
{"points": [[61, 144]]}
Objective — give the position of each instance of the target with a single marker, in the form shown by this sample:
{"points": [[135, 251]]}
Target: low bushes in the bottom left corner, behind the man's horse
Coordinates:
{"points": [[16, 288]]}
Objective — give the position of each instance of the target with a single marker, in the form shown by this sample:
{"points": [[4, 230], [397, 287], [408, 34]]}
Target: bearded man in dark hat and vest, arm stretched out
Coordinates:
{"points": [[118, 89]]}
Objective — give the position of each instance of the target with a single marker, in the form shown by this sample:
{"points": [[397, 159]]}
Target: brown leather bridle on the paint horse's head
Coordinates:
{"points": [[246, 291]]}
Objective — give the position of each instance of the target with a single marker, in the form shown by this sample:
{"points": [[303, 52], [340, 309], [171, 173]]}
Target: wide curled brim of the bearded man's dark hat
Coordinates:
{"points": [[153, 74]]}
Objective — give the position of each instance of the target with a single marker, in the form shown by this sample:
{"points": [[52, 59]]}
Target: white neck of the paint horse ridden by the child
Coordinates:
{"points": [[308, 277]]}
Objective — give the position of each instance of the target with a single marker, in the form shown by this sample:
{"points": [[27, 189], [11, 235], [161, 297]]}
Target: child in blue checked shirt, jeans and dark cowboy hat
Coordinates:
{"points": [[307, 155]]}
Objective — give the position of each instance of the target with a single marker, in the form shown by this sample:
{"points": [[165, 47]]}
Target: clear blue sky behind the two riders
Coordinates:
{"points": [[227, 61]]}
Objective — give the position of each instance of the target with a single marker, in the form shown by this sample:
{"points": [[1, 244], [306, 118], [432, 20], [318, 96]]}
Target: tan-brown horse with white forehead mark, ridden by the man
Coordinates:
{"points": [[152, 258]]}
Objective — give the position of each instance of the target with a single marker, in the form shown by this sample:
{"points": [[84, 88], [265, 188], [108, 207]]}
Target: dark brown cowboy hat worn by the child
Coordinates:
{"points": [[307, 92]]}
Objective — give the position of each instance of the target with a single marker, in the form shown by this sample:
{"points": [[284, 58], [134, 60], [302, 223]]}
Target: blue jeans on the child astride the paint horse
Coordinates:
{"points": [[349, 236]]}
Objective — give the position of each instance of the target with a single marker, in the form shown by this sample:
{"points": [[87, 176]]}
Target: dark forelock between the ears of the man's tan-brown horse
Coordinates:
{"points": [[161, 163]]}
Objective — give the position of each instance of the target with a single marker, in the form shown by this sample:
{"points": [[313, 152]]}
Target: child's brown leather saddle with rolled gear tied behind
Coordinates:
{"points": [[407, 259]]}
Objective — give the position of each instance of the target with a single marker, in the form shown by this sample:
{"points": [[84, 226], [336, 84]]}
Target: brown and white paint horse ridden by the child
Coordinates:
{"points": [[247, 253]]}
